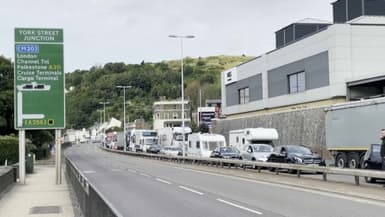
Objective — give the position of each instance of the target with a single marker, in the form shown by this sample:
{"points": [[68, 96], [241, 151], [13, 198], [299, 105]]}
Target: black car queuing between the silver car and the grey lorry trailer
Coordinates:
{"points": [[295, 154]]}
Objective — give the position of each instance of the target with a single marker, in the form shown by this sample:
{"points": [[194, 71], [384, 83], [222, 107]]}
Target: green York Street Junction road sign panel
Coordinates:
{"points": [[39, 79]]}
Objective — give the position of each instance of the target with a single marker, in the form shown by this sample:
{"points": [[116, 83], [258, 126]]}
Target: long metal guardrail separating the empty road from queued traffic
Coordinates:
{"points": [[276, 167]]}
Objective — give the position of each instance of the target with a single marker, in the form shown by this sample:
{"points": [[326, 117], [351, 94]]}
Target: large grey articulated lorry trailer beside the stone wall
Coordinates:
{"points": [[350, 129]]}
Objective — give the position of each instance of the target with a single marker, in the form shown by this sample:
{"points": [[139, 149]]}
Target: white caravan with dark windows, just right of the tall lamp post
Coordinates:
{"points": [[201, 145]]}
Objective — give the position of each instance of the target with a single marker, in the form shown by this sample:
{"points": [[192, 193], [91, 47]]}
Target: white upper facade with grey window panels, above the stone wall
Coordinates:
{"points": [[340, 62]]}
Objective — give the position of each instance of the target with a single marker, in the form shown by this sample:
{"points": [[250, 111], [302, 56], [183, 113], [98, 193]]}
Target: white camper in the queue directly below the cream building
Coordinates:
{"points": [[172, 136]]}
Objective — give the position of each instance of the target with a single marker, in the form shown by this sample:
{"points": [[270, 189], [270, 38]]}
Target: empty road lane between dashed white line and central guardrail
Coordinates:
{"points": [[287, 201]]}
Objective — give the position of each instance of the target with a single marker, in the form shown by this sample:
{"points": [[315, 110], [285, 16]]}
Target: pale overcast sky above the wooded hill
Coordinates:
{"points": [[101, 31]]}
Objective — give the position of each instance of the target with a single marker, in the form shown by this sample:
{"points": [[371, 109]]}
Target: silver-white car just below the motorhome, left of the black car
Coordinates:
{"points": [[256, 152]]}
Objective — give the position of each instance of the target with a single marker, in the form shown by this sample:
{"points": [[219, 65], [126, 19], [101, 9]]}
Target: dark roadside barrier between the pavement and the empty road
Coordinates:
{"points": [[92, 203]]}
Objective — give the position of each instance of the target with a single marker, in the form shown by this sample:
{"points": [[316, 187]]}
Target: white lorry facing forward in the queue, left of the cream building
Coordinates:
{"points": [[141, 139]]}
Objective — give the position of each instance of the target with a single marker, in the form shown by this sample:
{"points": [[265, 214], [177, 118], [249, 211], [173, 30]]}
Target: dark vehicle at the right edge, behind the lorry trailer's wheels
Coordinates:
{"points": [[372, 160]]}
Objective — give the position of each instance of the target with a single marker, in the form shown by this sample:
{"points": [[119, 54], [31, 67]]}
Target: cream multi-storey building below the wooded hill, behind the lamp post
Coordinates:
{"points": [[169, 114]]}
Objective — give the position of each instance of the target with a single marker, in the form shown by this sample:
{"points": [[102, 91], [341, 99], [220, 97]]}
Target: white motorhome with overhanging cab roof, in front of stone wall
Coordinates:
{"points": [[243, 137]]}
